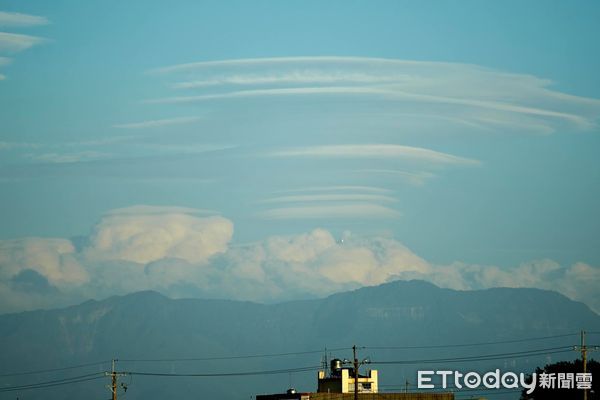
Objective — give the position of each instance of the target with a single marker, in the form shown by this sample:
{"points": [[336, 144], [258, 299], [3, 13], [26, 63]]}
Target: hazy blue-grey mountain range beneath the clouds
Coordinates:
{"points": [[148, 326]]}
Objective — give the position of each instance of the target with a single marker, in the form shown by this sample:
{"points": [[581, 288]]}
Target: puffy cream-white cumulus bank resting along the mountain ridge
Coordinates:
{"points": [[185, 252]]}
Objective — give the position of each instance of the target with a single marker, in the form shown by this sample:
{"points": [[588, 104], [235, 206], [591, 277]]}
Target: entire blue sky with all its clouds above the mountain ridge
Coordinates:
{"points": [[270, 151]]}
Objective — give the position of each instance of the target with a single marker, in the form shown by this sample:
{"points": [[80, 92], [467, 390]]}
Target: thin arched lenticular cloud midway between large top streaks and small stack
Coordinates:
{"points": [[374, 151]]}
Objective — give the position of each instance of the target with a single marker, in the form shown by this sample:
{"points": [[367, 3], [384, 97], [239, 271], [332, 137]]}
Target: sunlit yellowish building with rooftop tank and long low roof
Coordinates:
{"points": [[340, 382]]}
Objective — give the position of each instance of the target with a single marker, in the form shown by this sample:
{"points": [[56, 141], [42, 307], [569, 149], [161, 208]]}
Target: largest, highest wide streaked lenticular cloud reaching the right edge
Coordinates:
{"points": [[482, 97]]}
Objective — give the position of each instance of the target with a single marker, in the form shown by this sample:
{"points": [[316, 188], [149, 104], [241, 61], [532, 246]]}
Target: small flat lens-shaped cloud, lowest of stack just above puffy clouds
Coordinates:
{"points": [[358, 210]]}
